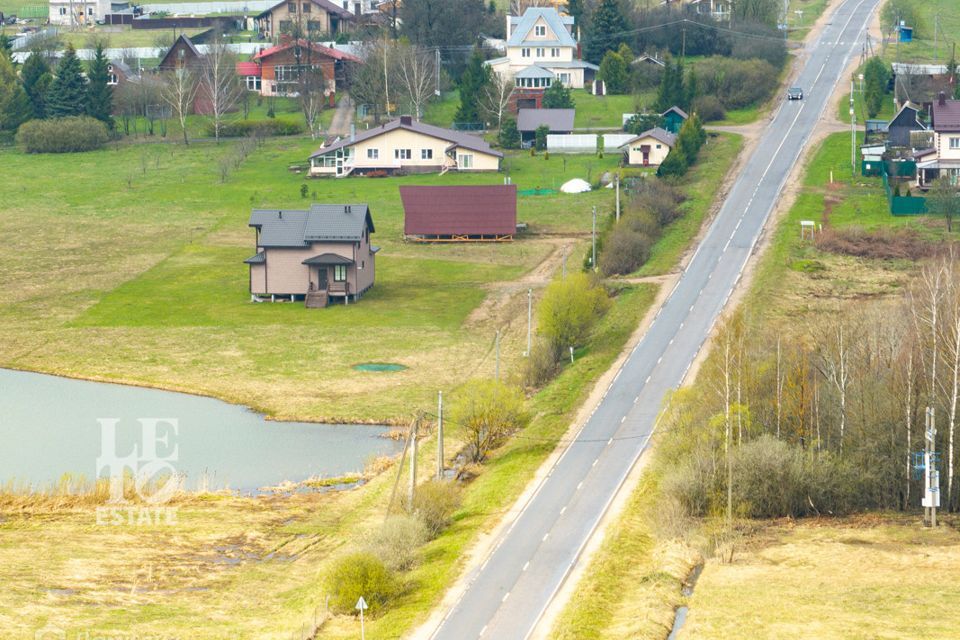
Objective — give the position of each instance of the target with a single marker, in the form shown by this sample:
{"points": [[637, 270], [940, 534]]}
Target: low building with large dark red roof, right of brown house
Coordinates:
{"points": [[460, 213]]}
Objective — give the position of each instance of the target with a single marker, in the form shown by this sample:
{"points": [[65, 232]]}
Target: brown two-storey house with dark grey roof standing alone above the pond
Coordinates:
{"points": [[314, 255]]}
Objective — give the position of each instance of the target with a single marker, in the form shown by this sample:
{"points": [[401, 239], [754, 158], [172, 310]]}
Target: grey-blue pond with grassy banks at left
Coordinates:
{"points": [[51, 426]]}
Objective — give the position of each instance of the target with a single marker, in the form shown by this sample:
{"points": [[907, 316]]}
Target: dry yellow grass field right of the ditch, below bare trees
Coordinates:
{"points": [[867, 577]]}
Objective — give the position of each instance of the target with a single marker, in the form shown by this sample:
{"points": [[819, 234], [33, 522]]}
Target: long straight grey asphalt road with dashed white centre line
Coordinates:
{"points": [[508, 594]]}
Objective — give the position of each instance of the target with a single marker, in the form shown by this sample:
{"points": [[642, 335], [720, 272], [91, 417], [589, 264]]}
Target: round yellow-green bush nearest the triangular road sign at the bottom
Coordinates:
{"points": [[361, 574]]}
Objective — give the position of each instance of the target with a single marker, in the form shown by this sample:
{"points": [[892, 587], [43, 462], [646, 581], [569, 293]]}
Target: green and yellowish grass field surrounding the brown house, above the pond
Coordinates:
{"points": [[148, 285]]}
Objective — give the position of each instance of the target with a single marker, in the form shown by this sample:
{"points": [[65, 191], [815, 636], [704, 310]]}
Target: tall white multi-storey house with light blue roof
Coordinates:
{"points": [[542, 38]]}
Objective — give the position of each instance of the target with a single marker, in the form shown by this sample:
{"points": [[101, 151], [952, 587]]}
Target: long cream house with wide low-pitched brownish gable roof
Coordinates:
{"points": [[404, 145]]}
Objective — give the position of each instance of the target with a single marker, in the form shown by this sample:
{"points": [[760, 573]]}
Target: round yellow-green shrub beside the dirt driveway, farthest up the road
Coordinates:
{"points": [[569, 309]]}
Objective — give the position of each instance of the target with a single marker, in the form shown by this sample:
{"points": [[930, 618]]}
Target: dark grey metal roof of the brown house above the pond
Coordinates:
{"points": [[321, 223]]}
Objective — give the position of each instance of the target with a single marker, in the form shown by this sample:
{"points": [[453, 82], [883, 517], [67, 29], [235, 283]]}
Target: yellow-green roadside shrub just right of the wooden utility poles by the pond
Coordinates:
{"points": [[488, 411]]}
